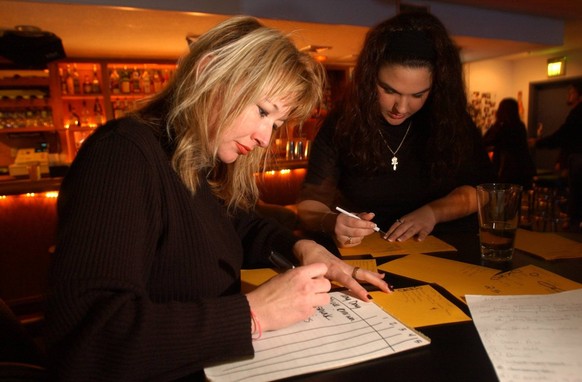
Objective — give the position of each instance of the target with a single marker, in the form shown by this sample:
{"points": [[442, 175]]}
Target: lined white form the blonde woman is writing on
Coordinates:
{"points": [[345, 332]]}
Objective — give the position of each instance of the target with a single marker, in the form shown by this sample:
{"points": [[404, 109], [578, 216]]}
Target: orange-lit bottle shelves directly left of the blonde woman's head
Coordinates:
{"points": [[92, 92]]}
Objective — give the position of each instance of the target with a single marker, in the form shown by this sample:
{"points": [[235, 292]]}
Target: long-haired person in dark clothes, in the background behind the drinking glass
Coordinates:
{"points": [[507, 139]]}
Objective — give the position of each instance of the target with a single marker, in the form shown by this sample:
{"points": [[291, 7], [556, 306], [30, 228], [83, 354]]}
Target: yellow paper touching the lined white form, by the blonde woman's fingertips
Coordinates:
{"points": [[419, 306]]}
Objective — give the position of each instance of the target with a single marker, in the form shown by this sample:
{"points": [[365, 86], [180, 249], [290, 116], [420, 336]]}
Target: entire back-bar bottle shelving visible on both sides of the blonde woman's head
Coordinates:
{"points": [[59, 108]]}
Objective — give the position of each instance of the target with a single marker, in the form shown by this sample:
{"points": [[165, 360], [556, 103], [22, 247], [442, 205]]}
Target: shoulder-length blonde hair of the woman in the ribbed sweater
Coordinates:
{"points": [[227, 69]]}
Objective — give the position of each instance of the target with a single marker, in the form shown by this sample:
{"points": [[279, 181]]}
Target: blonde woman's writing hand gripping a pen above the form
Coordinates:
{"points": [[290, 297]]}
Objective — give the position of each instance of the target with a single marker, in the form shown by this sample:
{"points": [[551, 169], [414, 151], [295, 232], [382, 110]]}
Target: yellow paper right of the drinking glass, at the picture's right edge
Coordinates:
{"points": [[549, 246]]}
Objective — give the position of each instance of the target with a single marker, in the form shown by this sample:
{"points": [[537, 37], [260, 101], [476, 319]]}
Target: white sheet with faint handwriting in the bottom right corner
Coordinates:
{"points": [[531, 337]]}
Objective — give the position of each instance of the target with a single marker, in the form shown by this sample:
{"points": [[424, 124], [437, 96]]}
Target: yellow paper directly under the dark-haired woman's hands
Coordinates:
{"points": [[378, 247]]}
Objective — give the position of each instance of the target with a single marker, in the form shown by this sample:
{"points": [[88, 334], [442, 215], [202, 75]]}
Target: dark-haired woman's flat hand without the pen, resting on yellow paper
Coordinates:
{"points": [[418, 224]]}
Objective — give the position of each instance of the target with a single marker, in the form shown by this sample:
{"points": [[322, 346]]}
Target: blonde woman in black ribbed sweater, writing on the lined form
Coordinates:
{"points": [[156, 220]]}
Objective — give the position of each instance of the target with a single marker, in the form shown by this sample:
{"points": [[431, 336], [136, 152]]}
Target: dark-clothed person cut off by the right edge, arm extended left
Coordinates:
{"points": [[568, 138]]}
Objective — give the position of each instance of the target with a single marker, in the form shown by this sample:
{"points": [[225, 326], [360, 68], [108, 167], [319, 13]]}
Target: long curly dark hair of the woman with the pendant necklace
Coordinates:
{"points": [[445, 110]]}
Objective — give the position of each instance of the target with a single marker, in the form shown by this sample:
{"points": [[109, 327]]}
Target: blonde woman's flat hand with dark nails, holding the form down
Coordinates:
{"points": [[309, 252]]}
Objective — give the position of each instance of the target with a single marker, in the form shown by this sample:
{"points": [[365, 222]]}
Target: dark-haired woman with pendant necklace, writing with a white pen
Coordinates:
{"points": [[401, 148]]}
